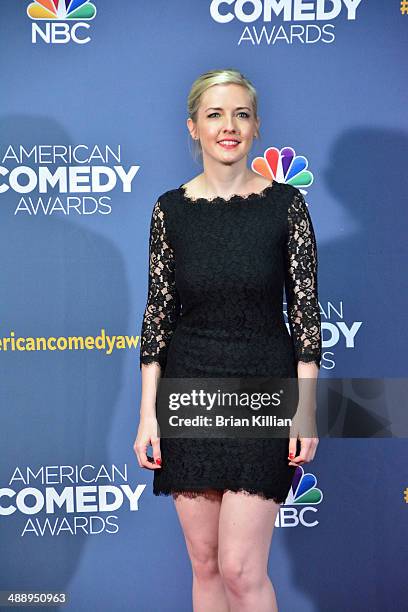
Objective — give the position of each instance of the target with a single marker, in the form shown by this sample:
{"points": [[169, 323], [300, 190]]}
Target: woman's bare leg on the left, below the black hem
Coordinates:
{"points": [[199, 520]]}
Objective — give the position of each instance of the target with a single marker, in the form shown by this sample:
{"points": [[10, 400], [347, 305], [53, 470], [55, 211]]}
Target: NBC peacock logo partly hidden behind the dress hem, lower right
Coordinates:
{"points": [[302, 500]]}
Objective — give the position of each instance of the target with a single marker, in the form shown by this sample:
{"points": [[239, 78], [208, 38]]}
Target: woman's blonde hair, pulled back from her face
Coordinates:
{"points": [[209, 79]]}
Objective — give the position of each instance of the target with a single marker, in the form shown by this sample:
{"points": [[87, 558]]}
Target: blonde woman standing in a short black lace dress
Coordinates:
{"points": [[222, 247]]}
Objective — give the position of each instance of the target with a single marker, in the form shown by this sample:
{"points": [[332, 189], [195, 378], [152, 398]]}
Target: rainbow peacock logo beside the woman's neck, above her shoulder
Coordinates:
{"points": [[284, 166]]}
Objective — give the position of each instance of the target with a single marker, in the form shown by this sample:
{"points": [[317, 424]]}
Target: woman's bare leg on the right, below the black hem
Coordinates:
{"points": [[245, 533]]}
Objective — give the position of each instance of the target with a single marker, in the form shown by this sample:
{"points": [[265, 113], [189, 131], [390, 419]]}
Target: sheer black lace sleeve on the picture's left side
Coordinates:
{"points": [[163, 304]]}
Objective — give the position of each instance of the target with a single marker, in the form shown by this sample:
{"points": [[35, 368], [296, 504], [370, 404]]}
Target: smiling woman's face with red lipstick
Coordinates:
{"points": [[226, 124]]}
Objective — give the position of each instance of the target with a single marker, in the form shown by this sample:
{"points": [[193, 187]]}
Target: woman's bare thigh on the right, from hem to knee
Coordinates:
{"points": [[246, 525]]}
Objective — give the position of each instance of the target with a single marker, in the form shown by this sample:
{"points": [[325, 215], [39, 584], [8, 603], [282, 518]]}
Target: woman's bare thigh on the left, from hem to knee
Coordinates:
{"points": [[199, 517]]}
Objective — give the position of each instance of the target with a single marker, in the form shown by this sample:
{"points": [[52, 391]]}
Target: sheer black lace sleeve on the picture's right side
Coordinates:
{"points": [[301, 283]]}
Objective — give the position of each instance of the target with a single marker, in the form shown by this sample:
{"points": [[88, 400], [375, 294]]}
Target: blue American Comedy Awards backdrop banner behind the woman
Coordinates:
{"points": [[93, 109]]}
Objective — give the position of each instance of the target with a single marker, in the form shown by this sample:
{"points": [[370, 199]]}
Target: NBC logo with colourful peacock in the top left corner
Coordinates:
{"points": [[60, 21]]}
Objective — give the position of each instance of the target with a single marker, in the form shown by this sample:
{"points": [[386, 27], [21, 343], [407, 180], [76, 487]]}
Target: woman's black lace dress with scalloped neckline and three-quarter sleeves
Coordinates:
{"points": [[217, 270]]}
